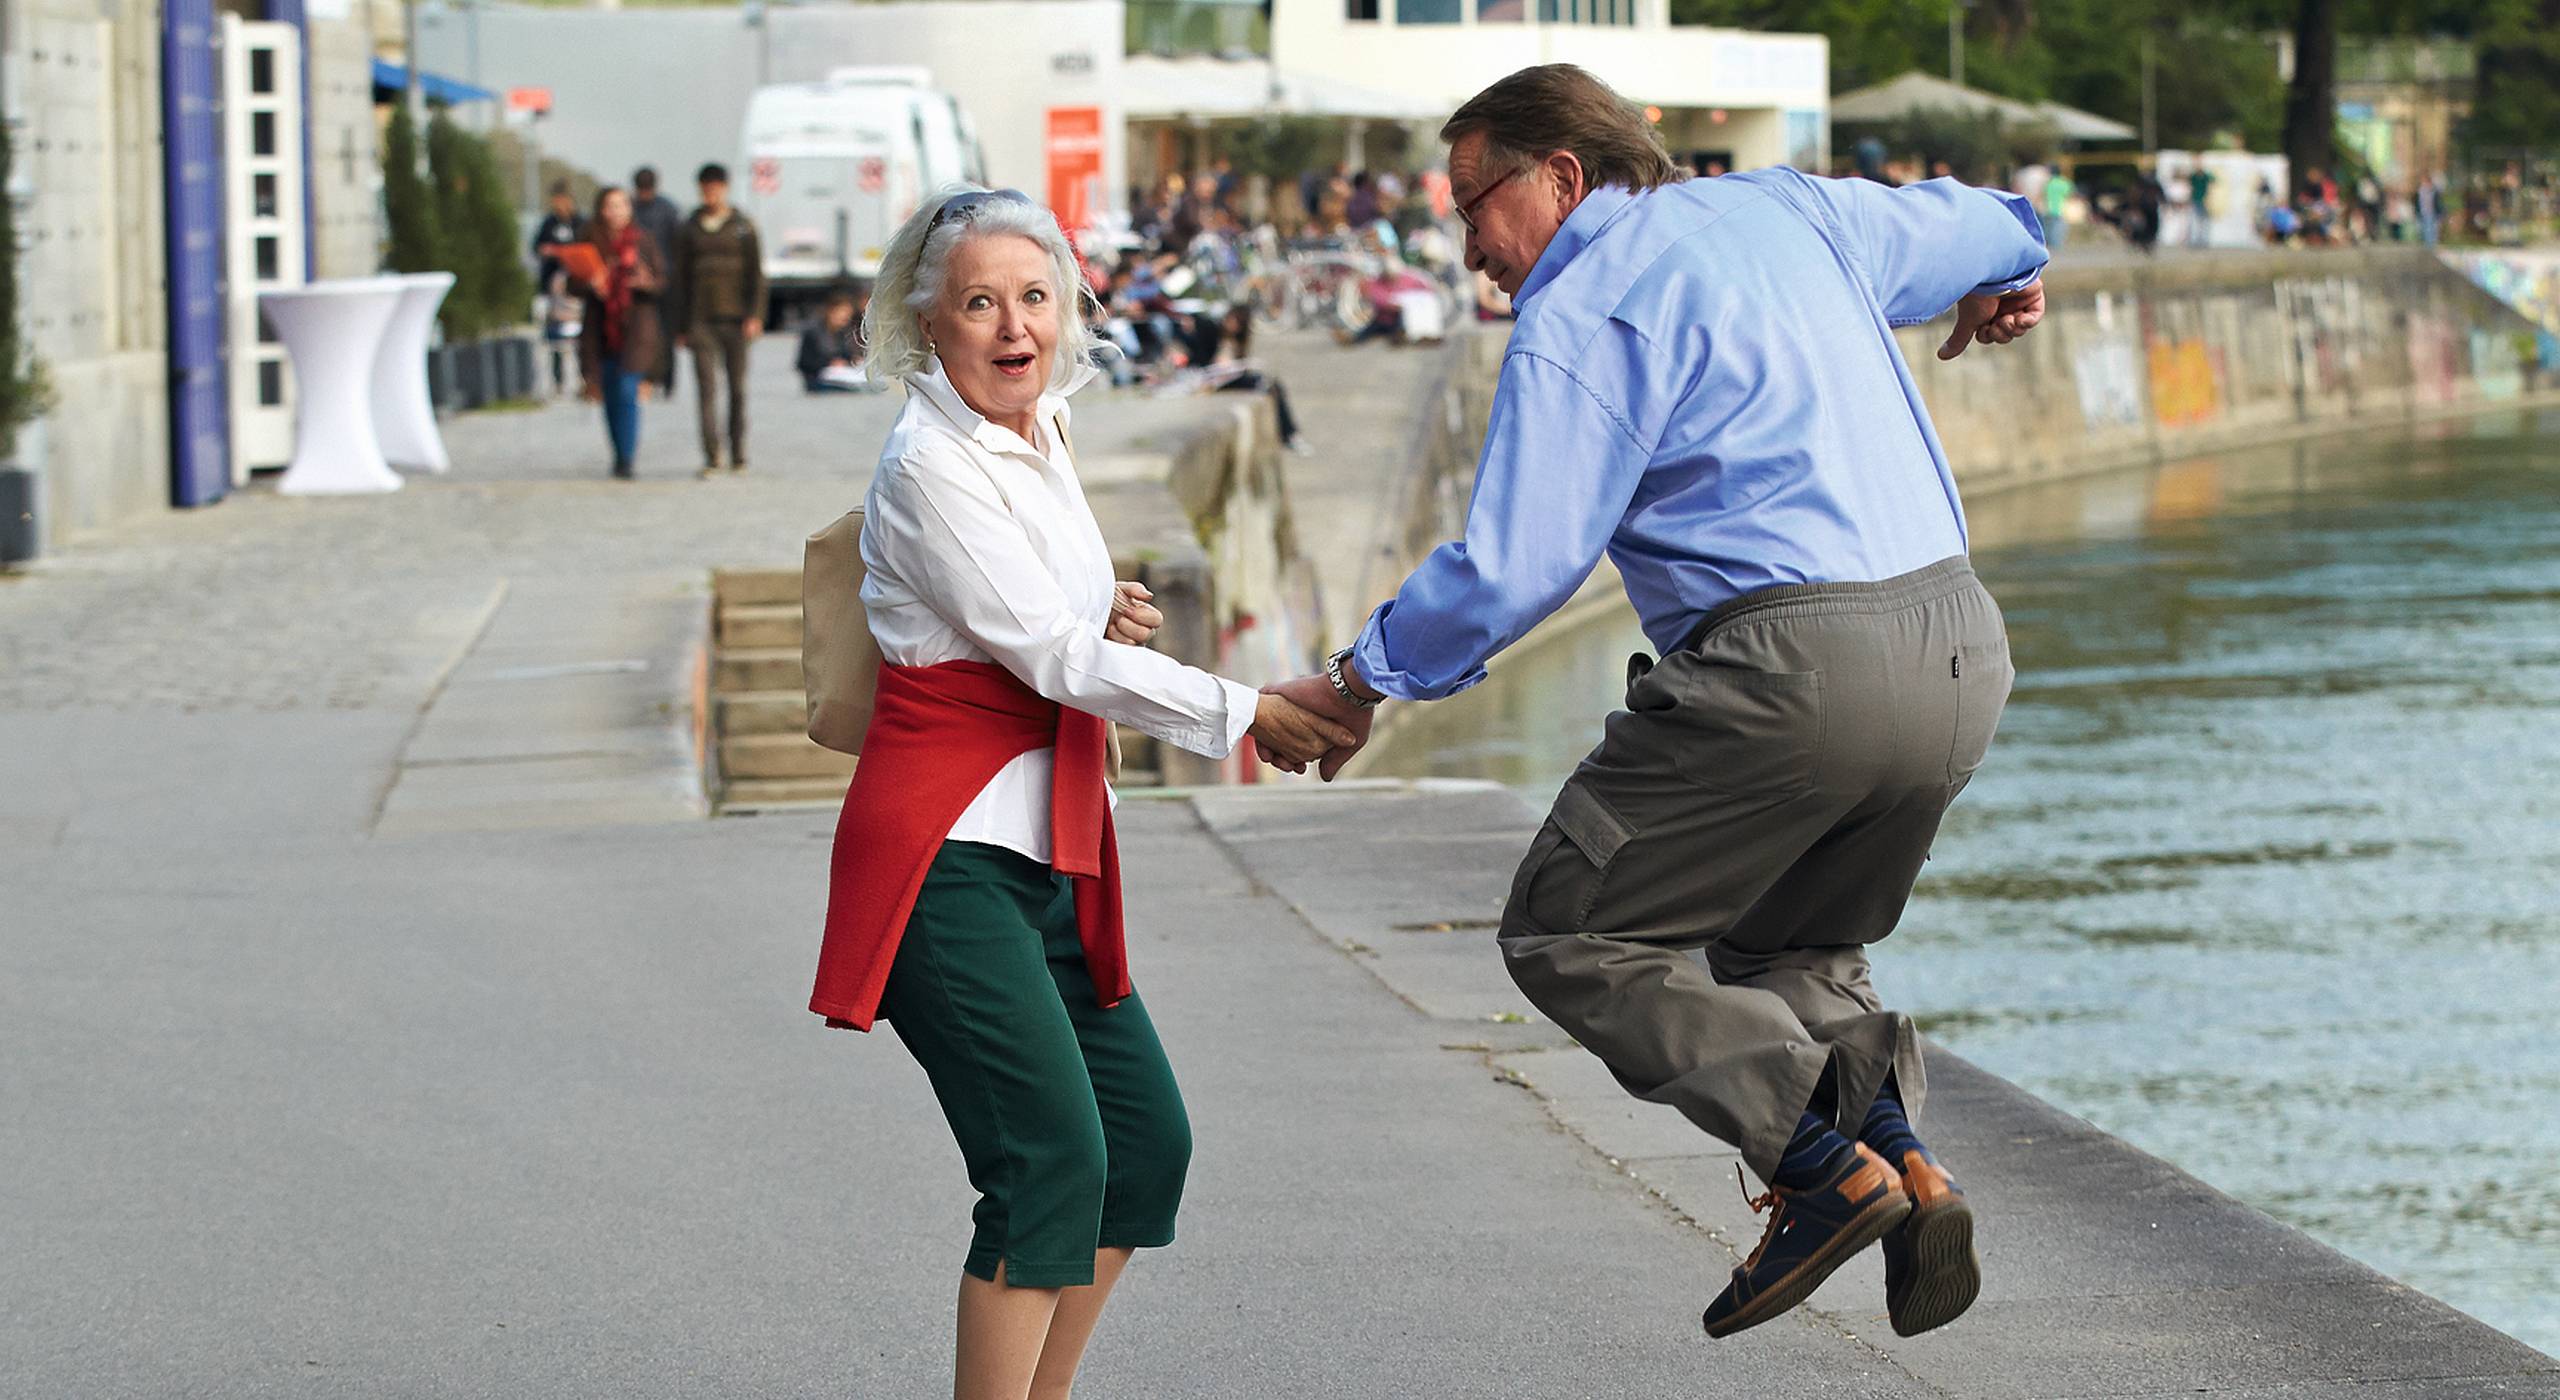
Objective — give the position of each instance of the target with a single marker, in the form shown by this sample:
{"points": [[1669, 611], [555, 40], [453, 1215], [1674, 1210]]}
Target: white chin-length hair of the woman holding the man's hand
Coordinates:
{"points": [[913, 280]]}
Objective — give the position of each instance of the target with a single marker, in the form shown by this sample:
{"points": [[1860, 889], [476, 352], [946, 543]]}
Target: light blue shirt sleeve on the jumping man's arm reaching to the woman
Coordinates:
{"points": [[1550, 490]]}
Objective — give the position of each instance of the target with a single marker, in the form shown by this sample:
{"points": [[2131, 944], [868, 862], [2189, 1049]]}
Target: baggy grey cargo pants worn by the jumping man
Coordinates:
{"points": [[1765, 800]]}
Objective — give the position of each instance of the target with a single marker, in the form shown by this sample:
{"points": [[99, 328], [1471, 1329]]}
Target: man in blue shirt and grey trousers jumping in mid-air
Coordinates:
{"points": [[1704, 385]]}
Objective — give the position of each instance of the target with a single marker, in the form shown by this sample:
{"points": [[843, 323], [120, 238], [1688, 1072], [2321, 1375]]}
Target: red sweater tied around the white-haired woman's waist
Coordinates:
{"points": [[938, 736]]}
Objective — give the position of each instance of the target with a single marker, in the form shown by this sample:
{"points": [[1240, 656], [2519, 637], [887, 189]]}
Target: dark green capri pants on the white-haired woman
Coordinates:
{"points": [[1069, 1117]]}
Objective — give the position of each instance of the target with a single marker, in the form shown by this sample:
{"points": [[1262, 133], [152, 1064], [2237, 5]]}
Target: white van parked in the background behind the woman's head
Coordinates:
{"points": [[833, 168]]}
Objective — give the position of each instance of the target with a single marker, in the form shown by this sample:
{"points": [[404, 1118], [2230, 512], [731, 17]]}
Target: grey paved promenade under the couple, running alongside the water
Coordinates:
{"points": [[378, 1017]]}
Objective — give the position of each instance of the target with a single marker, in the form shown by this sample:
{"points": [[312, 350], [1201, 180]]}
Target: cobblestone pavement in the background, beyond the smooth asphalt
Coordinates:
{"points": [[360, 603]]}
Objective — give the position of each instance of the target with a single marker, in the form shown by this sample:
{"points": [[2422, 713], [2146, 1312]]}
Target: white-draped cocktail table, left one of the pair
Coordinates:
{"points": [[334, 334]]}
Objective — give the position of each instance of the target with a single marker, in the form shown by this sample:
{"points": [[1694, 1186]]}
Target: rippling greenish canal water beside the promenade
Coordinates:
{"points": [[2262, 871]]}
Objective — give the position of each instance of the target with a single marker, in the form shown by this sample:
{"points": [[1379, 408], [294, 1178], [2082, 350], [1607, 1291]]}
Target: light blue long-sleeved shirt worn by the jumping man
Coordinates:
{"points": [[1706, 388]]}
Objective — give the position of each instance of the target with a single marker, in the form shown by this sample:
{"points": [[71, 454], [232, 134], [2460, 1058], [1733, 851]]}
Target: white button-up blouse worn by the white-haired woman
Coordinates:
{"points": [[982, 546]]}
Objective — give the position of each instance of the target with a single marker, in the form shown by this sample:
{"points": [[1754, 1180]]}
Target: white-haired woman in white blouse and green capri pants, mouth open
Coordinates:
{"points": [[974, 897]]}
